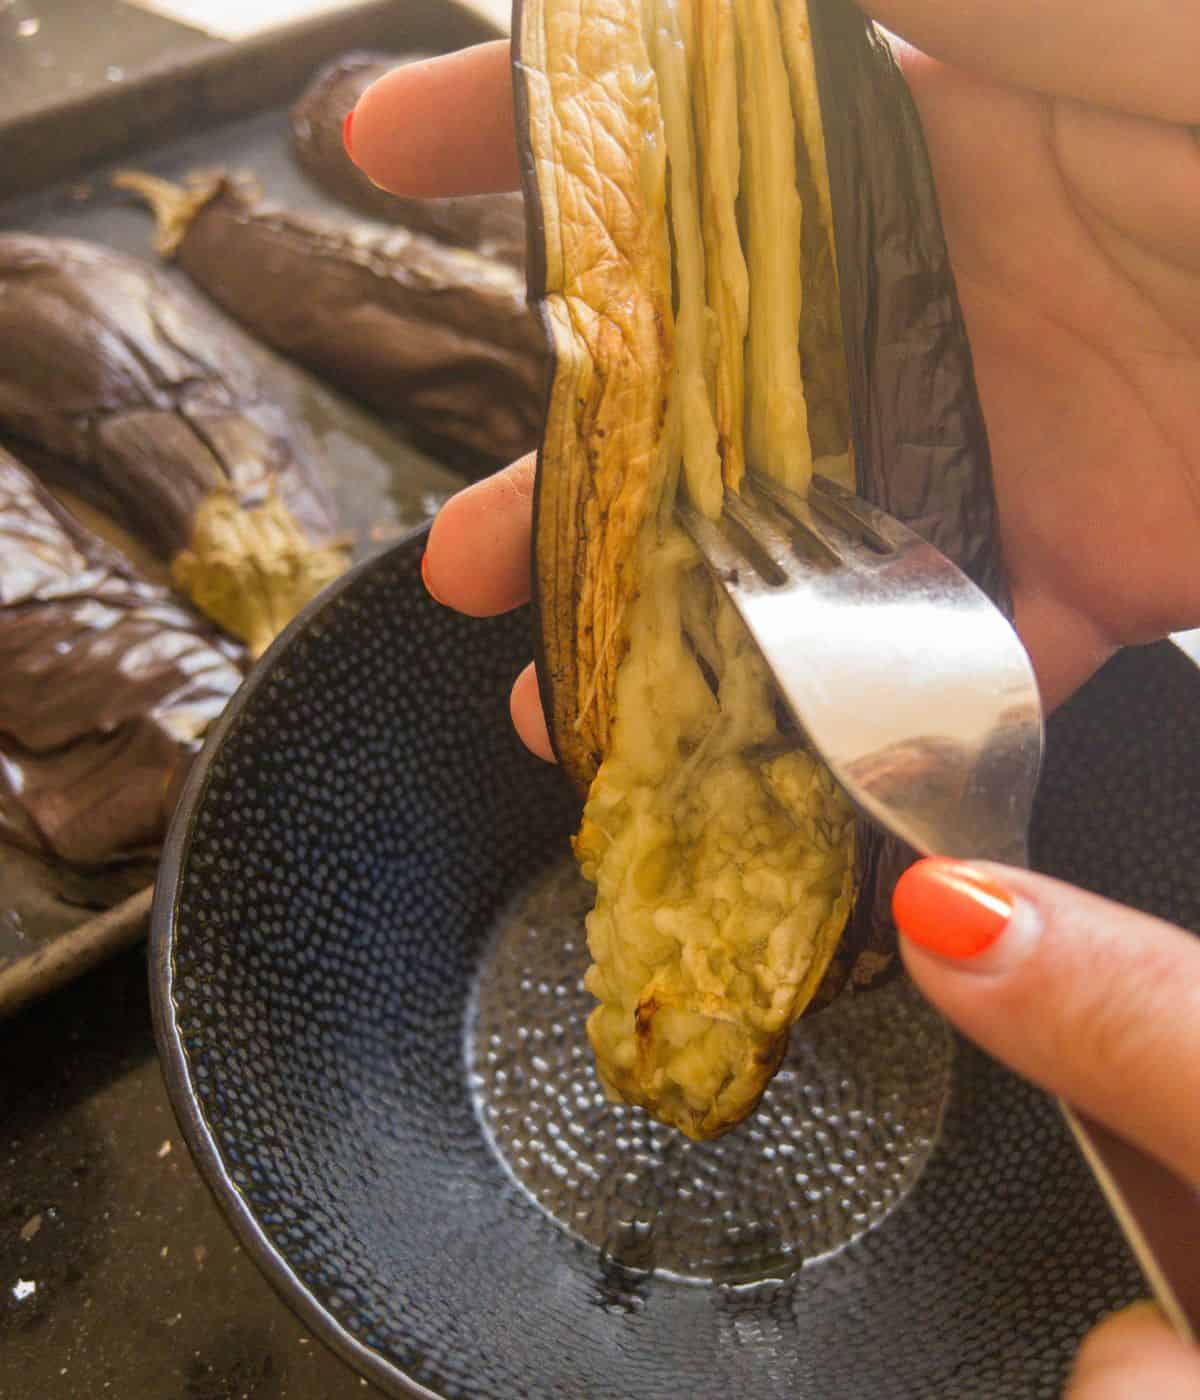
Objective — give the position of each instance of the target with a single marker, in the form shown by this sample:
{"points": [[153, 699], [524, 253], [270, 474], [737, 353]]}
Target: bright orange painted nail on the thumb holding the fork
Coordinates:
{"points": [[963, 915]]}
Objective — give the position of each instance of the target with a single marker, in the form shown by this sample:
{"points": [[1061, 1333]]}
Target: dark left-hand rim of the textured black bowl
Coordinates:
{"points": [[173, 1055]]}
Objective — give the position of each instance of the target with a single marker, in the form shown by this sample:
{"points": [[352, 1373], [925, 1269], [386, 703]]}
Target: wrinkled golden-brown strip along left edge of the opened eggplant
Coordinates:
{"points": [[604, 292]]}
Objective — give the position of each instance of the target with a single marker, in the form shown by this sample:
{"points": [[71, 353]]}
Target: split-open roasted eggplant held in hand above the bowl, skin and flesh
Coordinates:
{"points": [[740, 267]]}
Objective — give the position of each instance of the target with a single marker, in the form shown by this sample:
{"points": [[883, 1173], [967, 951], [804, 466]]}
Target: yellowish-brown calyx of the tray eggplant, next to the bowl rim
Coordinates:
{"points": [[251, 569]]}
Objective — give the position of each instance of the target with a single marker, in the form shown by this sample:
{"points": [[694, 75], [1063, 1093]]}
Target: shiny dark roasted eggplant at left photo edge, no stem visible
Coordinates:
{"points": [[110, 684]]}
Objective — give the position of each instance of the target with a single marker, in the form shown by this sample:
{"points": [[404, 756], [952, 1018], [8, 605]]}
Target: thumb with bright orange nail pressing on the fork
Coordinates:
{"points": [[1094, 1002]]}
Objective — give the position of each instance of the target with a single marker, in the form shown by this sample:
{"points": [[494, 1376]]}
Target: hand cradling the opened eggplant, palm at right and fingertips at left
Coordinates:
{"points": [[1070, 190]]}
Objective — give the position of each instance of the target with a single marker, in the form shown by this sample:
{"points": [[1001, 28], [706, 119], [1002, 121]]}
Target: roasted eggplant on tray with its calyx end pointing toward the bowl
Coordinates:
{"points": [[128, 391]]}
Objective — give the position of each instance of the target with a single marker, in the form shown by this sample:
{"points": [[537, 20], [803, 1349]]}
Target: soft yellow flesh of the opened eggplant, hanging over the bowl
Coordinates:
{"points": [[697, 337]]}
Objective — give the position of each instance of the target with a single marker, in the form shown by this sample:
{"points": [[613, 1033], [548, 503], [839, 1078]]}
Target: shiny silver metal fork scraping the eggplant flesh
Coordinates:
{"points": [[916, 692]]}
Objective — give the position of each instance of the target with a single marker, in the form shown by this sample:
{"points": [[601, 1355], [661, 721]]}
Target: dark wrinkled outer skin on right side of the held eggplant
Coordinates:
{"points": [[921, 442]]}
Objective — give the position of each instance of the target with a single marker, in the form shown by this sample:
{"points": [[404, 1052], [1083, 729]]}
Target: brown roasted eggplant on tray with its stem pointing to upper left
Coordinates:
{"points": [[438, 339]]}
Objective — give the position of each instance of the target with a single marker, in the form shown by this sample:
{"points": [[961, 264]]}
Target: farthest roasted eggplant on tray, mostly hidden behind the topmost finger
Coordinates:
{"points": [[492, 225]]}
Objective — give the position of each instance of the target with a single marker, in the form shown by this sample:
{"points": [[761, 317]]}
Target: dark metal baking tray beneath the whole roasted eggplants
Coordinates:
{"points": [[198, 104]]}
